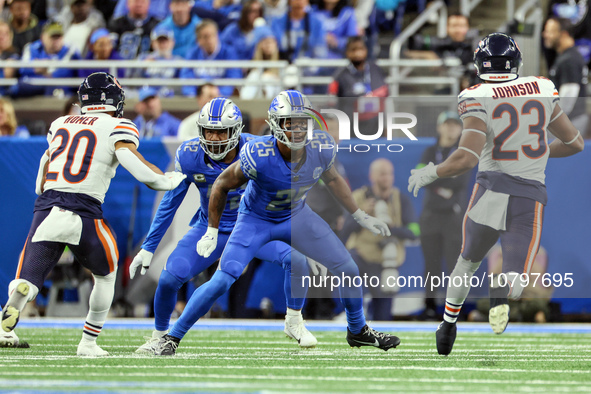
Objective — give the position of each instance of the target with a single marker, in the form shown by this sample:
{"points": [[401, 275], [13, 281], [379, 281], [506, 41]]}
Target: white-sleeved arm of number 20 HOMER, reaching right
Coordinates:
{"points": [[143, 170]]}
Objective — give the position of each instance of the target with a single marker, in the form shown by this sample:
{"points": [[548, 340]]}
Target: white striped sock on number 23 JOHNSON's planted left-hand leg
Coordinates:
{"points": [[458, 288]]}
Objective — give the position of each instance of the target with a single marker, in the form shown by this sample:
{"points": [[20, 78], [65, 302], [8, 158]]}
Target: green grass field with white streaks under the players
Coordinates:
{"points": [[257, 361]]}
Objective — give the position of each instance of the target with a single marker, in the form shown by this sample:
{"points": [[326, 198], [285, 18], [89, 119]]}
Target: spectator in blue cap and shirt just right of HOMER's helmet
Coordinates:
{"points": [[152, 121]]}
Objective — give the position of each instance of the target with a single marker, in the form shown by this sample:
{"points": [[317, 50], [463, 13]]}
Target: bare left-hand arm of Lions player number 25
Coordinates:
{"points": [[232, 178]]}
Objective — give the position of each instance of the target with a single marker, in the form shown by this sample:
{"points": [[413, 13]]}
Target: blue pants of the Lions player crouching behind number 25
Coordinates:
{"points": [[184, 263]]}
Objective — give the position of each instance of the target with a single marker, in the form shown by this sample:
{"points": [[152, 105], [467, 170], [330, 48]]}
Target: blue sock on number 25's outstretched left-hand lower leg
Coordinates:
{"points": [[201, 301]]}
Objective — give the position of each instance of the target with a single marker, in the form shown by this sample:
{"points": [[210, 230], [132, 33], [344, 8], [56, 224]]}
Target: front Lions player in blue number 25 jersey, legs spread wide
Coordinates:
{"points": [[280, 169]]}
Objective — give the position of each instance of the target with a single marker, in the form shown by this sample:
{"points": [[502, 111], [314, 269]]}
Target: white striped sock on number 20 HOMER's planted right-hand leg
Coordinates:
{"points": [[100, 303]]}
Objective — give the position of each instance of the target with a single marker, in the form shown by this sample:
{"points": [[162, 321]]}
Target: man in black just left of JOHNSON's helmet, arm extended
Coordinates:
{"points": [[455, 45]]}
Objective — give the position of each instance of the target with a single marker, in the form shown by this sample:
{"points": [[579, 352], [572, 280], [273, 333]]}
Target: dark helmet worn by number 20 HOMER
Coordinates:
{"points": [[101, 92]]}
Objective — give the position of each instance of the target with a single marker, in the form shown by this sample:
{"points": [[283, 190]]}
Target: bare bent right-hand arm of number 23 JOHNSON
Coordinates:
{"points": [[569, 140]]}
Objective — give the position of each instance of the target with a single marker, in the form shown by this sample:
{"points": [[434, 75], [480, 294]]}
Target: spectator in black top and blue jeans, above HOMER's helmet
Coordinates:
{"points": [[133, 30]]}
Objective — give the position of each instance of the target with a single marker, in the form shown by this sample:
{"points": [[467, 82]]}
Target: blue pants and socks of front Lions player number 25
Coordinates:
{"points": [[307, 233]]}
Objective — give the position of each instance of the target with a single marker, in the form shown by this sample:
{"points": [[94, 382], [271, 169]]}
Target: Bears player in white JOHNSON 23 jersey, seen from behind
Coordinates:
{"points": [[506, 120]]}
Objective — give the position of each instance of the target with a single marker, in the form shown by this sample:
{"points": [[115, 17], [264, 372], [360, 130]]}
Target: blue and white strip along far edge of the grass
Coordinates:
{"points": [[277, 325]]}
